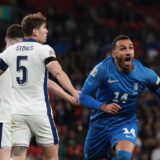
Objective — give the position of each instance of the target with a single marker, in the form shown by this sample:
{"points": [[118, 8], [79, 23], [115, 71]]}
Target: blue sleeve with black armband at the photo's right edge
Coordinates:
{"points": [[153, 81]]}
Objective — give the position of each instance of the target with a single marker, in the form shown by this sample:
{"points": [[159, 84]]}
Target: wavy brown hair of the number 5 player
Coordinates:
{"points": [[31, 22]]}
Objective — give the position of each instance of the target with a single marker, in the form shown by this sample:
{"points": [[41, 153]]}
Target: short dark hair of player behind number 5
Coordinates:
{"points": [[14, 31]]}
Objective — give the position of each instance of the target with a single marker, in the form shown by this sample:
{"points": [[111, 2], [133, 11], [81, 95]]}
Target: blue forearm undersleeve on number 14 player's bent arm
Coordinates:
{"points": [[89, 102]]}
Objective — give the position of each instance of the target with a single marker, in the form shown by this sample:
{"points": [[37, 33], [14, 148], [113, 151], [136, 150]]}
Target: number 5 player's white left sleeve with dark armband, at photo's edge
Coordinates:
{"points": [[4, 61]]}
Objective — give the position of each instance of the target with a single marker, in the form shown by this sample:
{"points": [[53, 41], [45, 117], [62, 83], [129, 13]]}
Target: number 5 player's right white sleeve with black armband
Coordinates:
{"points": [[47, 54]]}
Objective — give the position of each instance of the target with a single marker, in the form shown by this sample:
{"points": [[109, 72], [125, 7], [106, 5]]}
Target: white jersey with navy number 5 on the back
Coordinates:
{"points": [[29, 75]]}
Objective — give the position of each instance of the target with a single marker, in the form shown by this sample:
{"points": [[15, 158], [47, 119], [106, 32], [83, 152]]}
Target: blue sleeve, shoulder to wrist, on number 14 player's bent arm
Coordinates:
{"points": [[93, 81]]}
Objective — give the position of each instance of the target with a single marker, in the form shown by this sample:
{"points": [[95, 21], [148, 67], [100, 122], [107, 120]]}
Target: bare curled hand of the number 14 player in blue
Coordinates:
{"points": [[112, 108]]}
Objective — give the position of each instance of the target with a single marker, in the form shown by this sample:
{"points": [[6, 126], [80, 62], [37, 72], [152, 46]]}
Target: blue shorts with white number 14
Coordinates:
{"points": [[99, 140]]}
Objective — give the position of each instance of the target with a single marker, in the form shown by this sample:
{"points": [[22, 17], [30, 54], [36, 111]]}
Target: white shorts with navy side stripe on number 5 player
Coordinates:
{"points": [[42, 127]]}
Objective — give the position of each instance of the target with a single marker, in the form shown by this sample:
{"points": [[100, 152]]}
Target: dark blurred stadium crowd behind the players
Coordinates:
{"points": [[80, 31]]}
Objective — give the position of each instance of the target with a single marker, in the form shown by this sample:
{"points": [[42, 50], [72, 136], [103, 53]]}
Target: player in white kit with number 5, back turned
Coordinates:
{"points": [[28, 62]]}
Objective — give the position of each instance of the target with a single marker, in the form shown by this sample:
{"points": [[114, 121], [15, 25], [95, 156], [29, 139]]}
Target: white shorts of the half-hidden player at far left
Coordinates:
{"points": [[5, 135]]}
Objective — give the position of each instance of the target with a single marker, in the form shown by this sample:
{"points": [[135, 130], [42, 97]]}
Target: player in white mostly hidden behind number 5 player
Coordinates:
{"points": [[14, 35]]}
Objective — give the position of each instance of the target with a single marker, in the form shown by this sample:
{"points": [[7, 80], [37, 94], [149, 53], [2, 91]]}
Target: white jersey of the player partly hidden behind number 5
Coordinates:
{"points": [[6, 97]]}
